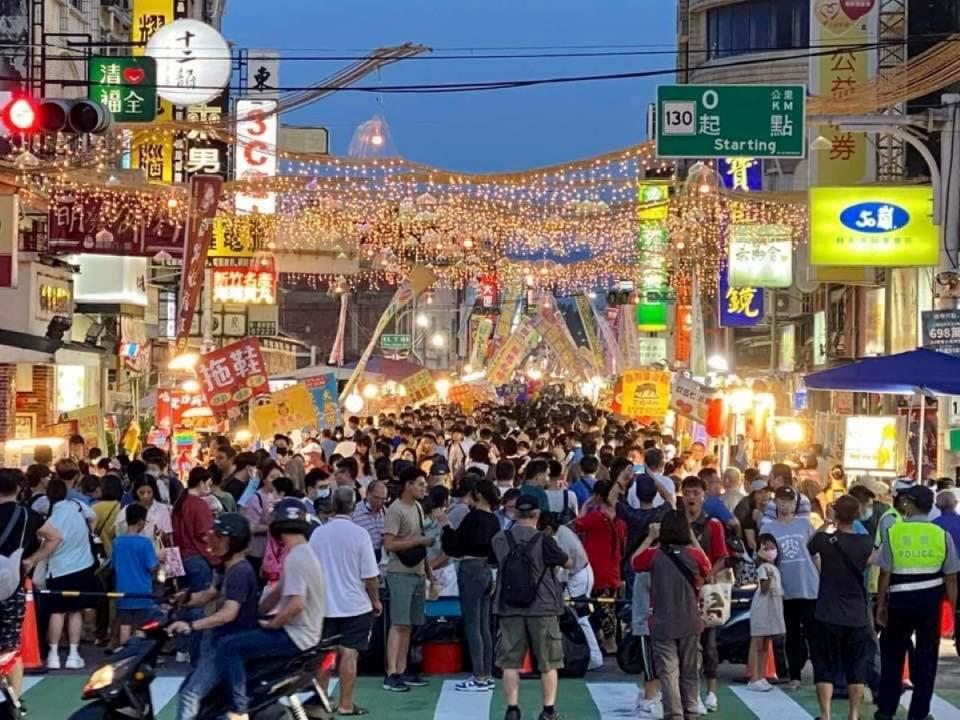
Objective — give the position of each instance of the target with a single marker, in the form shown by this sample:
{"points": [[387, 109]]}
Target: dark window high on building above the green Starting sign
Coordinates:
{"points": [[757, 26]]}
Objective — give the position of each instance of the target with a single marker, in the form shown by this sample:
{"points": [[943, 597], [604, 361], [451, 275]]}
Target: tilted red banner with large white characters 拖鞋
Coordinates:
{"points": [[233, 376]]}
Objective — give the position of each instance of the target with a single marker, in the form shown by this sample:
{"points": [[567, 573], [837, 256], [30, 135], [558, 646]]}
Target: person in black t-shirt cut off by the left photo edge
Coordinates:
{"points": [[26, 529]]}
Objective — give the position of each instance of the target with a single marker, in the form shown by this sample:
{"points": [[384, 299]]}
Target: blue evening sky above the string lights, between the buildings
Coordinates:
{"points": [[479, 131]]}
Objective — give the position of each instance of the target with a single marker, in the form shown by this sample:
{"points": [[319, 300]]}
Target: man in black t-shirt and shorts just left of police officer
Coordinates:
{"points": [[843, 635]]}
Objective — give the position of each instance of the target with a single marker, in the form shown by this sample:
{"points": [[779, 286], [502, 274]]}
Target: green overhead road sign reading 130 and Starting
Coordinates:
{"points": [[757, 121]]}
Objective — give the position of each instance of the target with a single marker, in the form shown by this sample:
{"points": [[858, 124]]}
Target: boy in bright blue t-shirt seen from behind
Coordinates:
{"points": [[135, 563]]}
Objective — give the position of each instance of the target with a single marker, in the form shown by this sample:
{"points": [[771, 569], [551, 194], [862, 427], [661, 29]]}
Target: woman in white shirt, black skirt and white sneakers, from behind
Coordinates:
{"points": [[70, 568]]}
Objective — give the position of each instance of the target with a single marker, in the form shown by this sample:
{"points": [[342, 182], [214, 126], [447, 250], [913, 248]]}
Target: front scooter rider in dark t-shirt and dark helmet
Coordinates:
{"points": [[235, 588]]}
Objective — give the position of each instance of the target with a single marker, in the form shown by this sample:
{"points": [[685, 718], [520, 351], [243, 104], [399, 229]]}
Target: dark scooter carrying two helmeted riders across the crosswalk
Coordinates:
{"points": [[277, 689]]}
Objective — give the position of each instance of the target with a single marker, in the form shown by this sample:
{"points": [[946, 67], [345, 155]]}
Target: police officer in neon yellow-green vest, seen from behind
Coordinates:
{"points": [[918, 564]]}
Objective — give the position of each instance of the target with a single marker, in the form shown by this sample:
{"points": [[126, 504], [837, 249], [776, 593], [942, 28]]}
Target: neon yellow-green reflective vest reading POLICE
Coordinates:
{"points": [[919, 550]]}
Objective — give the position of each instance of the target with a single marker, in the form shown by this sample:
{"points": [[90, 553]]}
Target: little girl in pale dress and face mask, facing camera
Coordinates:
{"points": [[766, 611]]}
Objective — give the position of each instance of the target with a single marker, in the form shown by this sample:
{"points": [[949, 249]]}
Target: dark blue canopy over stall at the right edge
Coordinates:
{"points": [[916, 371]]}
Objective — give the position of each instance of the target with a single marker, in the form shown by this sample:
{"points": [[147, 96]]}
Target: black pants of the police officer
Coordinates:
{"points": [[924, 623]]}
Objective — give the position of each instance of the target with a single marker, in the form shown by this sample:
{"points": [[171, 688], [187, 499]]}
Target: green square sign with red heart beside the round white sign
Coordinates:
{"points": [[126, 86]]}
